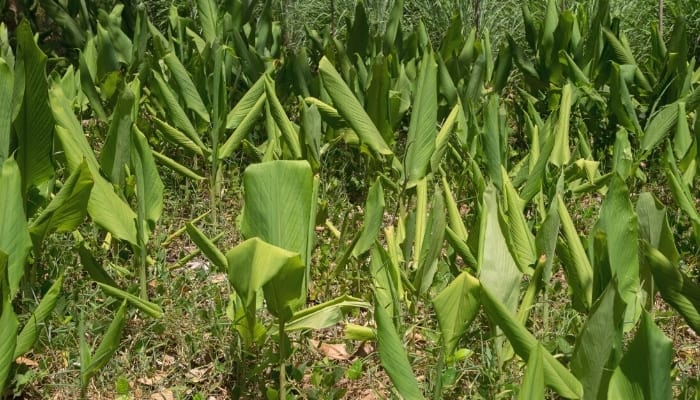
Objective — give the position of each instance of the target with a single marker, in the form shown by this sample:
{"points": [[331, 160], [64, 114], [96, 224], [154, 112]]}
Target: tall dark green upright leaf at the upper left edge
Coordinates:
{"points": [[34, 123]]}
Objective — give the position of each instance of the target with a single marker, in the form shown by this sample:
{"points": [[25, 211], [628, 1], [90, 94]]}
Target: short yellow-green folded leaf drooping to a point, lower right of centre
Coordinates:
{"points": [[456, 307]]}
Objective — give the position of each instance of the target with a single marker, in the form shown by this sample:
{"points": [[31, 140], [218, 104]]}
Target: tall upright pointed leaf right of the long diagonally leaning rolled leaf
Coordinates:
{"points": [[420, 144]]}
